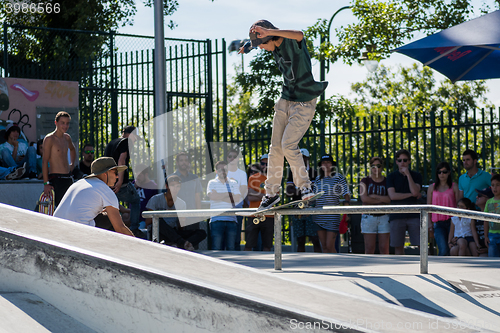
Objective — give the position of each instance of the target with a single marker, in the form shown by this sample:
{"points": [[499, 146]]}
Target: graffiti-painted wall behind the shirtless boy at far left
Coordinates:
{"points": [[33, 104]]}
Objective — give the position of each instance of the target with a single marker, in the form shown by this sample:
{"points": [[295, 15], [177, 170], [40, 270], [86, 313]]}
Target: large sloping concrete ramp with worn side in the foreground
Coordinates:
{"points": [[114, 283]]}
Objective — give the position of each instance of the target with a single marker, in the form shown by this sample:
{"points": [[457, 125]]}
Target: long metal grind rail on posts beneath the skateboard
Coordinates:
{"points": [[423, 210]]}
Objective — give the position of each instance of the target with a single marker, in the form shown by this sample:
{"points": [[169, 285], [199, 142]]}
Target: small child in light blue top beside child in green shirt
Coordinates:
{"points": [[461, 233]]}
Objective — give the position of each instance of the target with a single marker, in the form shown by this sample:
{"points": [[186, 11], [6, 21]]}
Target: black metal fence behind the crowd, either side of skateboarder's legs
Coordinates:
{"points": [[430, 139]]}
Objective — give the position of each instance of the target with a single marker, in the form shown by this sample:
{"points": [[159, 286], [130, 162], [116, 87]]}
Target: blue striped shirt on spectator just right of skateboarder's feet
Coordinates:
{"points": [[335, 188]]}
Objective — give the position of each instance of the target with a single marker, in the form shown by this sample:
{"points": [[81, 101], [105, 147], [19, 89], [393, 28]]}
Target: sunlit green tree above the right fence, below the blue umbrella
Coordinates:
{"points": [[414, 90]]}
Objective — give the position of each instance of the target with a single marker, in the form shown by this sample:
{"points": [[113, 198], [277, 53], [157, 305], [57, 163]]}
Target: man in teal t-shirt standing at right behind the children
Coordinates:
{"points": [[473, 178]]}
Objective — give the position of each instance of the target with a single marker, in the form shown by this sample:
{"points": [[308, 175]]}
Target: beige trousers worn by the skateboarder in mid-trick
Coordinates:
{"points": [[291, 121]]}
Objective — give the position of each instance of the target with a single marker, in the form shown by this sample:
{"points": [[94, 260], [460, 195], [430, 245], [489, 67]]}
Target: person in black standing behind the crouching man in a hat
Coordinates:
{"points": [[118, 149]]}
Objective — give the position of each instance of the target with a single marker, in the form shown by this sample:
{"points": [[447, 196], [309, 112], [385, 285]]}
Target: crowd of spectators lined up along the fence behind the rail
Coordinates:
{"points": [[231, 187]]}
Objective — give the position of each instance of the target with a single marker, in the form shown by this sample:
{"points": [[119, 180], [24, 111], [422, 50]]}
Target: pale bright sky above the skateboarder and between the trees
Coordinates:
{"points": [[231, 19]]}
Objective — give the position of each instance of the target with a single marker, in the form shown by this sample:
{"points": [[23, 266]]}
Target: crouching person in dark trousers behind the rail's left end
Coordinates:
{"points": [[171, 230]]}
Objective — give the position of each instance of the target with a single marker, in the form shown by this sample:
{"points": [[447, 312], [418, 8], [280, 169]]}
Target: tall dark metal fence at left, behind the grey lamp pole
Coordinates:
{"points": [[116, 77]]}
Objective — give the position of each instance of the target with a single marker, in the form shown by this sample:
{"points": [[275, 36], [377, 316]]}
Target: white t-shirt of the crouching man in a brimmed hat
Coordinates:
{"points": [[84, 200]]}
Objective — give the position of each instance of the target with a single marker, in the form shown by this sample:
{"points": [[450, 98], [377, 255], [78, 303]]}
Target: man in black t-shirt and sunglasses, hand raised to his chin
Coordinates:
{"points": [[403, 187]]}
